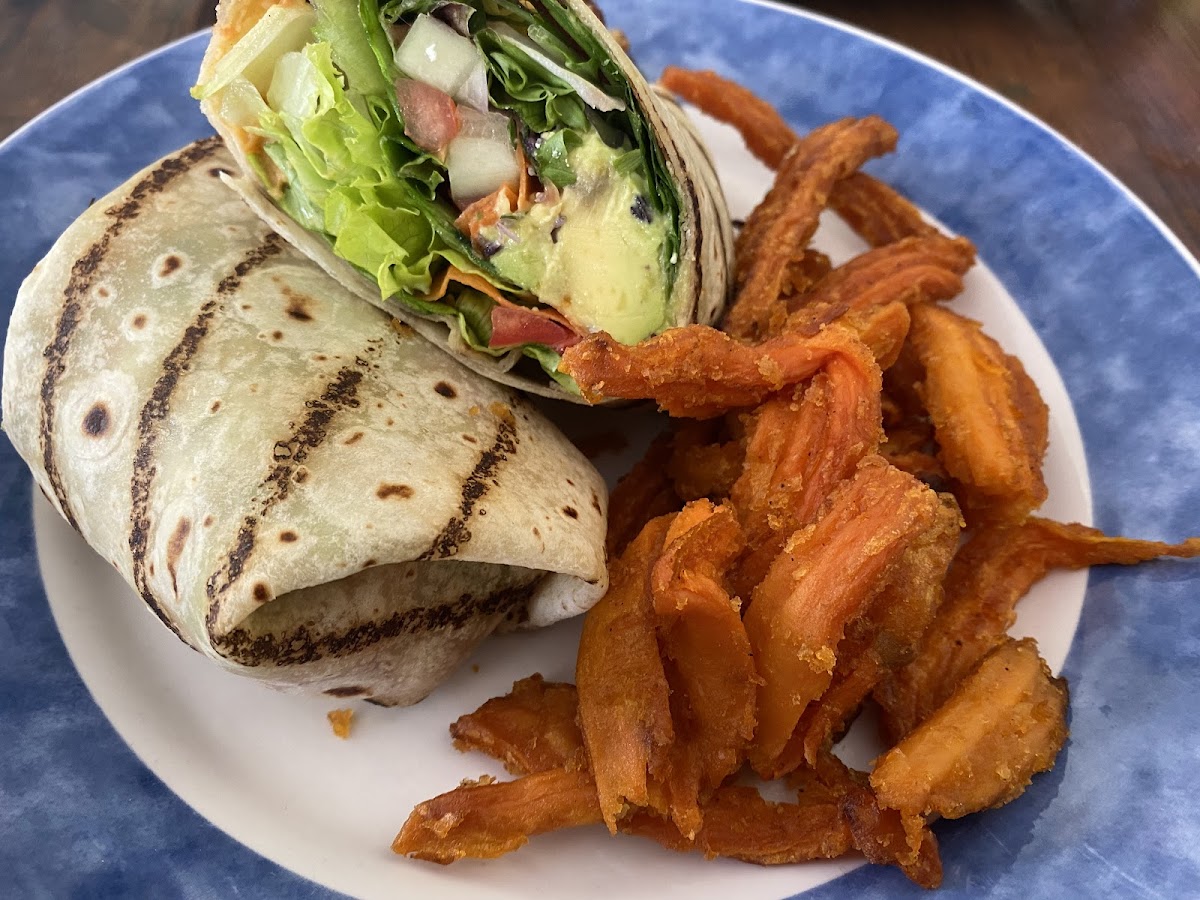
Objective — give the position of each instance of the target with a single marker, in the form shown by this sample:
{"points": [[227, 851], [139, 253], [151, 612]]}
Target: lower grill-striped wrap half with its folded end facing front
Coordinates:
{"points": [[296, 487]]}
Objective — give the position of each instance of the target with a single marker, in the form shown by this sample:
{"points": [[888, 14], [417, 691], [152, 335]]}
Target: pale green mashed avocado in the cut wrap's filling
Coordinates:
{"points": [[597, 255]]}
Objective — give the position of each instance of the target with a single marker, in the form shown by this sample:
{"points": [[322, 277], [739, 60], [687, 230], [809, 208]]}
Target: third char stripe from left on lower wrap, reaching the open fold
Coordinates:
{"points": [[290, 457]]}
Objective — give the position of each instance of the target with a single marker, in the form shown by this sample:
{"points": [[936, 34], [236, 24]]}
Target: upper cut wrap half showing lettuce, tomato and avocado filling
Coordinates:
{"points": [[496, 173]]}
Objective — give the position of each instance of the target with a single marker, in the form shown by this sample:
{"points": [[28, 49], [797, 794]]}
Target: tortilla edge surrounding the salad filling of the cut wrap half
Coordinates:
{"points": [[706, 253]]}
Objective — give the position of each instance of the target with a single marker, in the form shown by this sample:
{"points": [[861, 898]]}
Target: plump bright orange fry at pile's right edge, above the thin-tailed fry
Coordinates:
{"points": [[988, 416]]}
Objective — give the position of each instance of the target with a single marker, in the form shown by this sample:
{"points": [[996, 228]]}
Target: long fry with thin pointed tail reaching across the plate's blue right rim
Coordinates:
{"points": [[989, 575]]}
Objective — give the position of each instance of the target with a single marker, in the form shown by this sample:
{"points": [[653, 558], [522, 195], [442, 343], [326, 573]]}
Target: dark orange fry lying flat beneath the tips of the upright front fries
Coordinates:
{"points": [[740, 824]]}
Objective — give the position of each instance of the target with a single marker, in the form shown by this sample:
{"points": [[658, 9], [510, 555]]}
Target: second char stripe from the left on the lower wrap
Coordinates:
{"points": [[157, 411]]}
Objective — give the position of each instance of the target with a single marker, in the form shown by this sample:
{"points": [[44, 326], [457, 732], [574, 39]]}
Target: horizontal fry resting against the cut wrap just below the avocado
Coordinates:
{"points": [[699, 373]]}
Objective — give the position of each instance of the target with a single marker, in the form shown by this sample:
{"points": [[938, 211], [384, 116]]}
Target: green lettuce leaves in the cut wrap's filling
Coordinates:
{"points": [[333, 128]]}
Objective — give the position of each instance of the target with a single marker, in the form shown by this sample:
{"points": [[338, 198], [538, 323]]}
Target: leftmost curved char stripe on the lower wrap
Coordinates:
{"points": [[83, 277]]}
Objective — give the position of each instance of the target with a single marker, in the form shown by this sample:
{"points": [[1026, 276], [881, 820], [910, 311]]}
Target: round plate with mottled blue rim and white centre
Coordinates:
{"points": [[122, 751]]}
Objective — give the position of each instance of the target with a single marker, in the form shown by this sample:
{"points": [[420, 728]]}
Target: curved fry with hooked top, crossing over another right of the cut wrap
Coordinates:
{"points": [[783, 225]]}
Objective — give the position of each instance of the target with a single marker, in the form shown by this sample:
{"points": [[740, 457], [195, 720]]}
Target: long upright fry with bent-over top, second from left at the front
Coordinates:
{"points": [[710, 668]]}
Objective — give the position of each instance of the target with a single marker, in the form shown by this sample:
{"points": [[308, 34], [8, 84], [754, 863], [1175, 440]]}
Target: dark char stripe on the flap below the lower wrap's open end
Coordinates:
{"points": [[302, 645]]}
